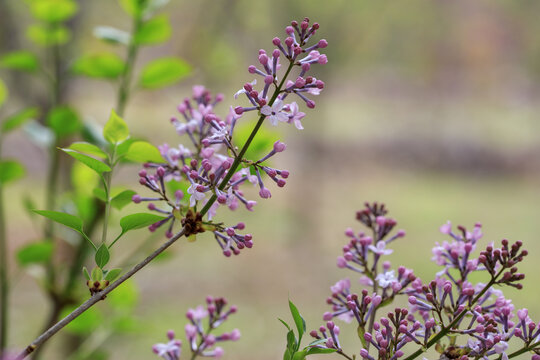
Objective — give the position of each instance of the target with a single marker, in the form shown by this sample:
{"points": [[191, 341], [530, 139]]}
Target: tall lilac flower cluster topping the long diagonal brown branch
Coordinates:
{"points": [[212, 170]]}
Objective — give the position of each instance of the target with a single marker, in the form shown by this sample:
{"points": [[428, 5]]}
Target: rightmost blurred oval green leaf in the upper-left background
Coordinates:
{"points": [[163, 72]]}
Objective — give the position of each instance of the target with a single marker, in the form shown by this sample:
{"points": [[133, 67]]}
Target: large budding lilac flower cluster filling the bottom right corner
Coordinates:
{"points": [[446, 309]]}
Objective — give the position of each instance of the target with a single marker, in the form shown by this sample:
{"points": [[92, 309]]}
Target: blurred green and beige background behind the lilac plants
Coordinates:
{"points": [[430, 107]]}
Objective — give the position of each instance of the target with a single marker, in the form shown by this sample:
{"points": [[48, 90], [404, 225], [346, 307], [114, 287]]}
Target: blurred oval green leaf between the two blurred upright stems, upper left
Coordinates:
{"points": [[104, 65]]}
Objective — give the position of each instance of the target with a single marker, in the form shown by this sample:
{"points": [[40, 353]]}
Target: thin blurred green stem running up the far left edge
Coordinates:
{"points": [[4, 284]]}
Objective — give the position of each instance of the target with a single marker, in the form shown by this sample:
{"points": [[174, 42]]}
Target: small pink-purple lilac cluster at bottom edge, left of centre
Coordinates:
{"points": [[199, 337]]}
